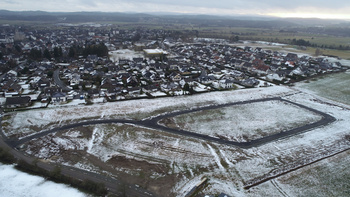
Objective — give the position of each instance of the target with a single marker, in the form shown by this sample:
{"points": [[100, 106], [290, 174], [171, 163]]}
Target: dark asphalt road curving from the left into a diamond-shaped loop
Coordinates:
{"points": [[153, 123]]}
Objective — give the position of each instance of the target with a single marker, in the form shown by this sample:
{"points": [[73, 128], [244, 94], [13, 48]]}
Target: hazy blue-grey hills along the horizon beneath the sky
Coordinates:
{"points": [[162, 18]]}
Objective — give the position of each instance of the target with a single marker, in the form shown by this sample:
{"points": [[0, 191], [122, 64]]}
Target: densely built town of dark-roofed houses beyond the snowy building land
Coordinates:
{"points": [[84, 64]]}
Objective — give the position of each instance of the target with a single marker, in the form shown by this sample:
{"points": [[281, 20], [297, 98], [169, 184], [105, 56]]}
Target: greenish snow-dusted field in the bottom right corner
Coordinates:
{"points": [[315, 180]]}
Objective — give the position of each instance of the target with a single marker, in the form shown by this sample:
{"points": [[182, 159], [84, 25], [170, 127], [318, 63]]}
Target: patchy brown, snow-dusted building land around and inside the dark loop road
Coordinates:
{"points": [[164, 162]]}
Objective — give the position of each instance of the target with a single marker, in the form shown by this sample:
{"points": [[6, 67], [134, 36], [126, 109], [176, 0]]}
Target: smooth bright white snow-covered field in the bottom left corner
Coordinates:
{"points": [[14, 183]]}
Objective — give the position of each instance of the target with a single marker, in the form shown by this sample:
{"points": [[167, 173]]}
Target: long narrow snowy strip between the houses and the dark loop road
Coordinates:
{"points": [[27, 122]]}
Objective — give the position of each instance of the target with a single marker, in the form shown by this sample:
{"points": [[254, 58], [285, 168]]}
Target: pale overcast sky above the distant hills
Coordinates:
{"points": [[295, 8]]}
